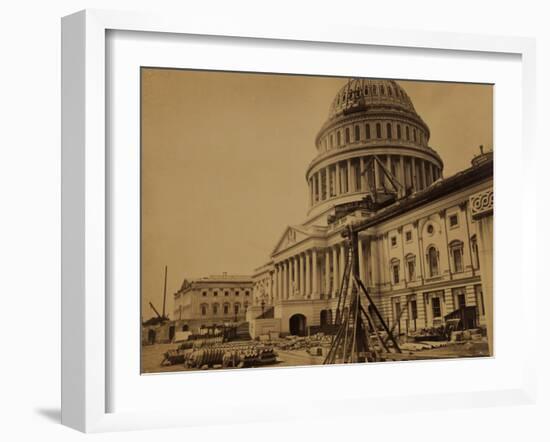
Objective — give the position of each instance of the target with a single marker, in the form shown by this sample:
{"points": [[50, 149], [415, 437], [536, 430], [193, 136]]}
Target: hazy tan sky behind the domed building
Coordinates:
{"points": [[224, 157]]}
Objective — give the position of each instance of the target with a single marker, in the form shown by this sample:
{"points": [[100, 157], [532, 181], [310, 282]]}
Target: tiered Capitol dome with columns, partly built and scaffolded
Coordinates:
{"points": [[370, 117]]}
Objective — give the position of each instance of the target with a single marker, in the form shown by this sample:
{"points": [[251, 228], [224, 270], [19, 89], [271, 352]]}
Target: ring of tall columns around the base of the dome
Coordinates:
{"points": [[345, 177]]}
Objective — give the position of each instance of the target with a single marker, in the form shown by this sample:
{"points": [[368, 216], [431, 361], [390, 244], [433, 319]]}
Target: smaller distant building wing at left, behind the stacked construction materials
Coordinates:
{"points": [[212, 300]]}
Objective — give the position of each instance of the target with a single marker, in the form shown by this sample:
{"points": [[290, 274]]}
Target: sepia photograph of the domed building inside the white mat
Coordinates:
{"points": [[294, 220]]}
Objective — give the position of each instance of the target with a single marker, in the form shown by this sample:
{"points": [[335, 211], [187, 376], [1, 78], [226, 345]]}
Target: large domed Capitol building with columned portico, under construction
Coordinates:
{"points": [[421, 257]]}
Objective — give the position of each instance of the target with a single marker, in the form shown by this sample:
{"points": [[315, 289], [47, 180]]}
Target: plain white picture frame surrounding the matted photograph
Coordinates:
{"points": [[85, 208]]}
